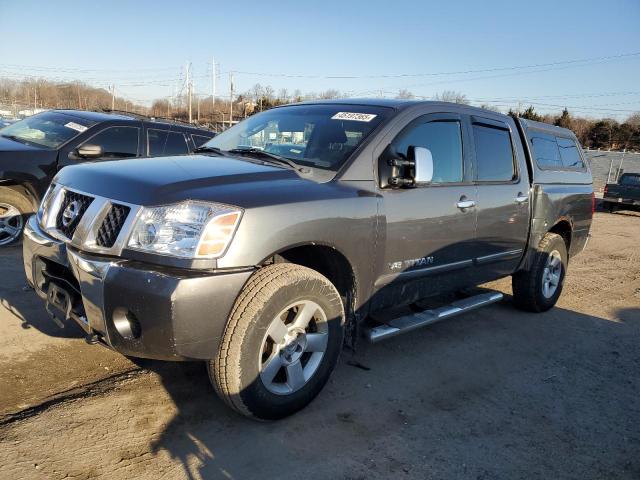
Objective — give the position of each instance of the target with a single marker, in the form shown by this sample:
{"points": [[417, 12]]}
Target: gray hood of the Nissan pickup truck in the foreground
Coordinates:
{"points": [[164, 180]]}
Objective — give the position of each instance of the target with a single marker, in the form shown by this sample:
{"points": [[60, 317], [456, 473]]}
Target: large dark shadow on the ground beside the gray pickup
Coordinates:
{"points": [[495, 394]]}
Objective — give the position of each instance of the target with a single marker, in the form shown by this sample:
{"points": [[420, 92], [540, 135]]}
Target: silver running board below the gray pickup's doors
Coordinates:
{"points": [[407, 323]]}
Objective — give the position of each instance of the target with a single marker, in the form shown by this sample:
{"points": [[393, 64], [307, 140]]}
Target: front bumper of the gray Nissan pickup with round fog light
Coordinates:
{"points": [[180, 314]]}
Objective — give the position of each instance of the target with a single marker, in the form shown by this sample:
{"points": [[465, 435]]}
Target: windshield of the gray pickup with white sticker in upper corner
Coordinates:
{"points": [[321, 136]]}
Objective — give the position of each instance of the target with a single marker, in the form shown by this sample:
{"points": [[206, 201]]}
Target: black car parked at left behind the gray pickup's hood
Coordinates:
{"points": [[33, 150]]}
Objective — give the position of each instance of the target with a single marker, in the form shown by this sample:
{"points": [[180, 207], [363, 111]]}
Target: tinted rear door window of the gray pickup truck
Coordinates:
{"points": [[494, 154]]}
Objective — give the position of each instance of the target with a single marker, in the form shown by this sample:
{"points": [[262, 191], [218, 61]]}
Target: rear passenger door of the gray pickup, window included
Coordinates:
{"points": [[502, 183]]}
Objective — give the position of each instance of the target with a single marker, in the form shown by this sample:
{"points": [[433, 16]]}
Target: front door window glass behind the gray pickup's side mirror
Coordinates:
{"points": [[443, 139]]}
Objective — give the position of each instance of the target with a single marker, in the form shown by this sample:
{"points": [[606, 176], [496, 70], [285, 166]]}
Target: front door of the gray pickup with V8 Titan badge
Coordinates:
{"points": [[429, 229]]}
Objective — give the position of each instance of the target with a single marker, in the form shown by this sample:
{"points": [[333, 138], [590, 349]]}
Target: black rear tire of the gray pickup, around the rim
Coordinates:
{"points": [[528, 291]]}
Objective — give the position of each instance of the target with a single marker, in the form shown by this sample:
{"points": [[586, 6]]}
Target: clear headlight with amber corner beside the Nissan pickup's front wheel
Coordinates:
{"points": [[188, 229]]}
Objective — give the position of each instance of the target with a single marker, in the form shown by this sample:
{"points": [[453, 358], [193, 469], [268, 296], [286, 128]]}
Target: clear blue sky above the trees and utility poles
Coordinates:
{"points": [[142, 47]]}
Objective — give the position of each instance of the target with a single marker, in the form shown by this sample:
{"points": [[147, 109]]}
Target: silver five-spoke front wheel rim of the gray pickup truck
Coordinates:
{"points": [[293, 347]]}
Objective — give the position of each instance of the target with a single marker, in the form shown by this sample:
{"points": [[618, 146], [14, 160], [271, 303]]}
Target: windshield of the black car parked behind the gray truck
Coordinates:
{"points": [[47, 129]]}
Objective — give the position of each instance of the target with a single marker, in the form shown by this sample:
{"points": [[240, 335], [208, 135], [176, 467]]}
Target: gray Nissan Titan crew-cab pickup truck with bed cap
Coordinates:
{"points": [[303, 228]]}
